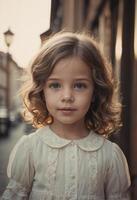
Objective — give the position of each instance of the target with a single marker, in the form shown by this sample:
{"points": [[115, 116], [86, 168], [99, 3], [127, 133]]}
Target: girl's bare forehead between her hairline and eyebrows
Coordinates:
{"points": [[71, 66]]}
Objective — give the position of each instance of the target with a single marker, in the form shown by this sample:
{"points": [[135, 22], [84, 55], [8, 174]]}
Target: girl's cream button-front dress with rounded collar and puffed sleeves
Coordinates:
{"points": [[44, 166]]}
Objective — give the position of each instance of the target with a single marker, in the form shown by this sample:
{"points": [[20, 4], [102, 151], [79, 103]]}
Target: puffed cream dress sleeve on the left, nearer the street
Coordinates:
{"points": [[20, 171]]}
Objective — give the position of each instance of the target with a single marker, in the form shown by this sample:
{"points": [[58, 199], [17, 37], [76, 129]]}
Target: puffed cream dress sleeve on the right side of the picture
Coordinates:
{"points": [[118, 178]]}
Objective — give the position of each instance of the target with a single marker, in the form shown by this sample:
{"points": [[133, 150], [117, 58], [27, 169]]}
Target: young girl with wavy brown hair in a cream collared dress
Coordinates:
{"points": [[71, 99]]}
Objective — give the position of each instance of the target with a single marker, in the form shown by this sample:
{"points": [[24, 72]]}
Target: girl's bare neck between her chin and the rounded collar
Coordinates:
{"points": [[73, 131]]}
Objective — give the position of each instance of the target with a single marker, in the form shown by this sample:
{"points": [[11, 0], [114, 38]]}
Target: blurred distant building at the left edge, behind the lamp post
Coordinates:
{"points": [[10, 73]]}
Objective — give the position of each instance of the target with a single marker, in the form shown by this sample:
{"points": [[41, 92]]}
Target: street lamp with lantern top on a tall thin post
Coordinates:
{"points": [[8, 36]]}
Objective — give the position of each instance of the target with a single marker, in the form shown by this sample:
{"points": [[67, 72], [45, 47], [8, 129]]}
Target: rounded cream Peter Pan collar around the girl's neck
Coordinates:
{"points": [[92, 142]]}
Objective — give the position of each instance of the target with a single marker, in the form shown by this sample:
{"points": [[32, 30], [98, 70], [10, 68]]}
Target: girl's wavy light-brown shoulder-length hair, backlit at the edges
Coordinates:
{"points": [[104, 114]]}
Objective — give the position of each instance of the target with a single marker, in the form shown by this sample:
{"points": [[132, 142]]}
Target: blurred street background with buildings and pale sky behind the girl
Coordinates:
{"points": [[24, 25]]}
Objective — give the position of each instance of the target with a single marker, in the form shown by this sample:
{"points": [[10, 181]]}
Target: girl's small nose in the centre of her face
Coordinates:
{"points": [[67, 96]]}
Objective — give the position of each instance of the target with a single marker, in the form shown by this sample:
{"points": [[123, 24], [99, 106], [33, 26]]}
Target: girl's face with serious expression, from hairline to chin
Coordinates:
{"points": [[68, 91]]}
